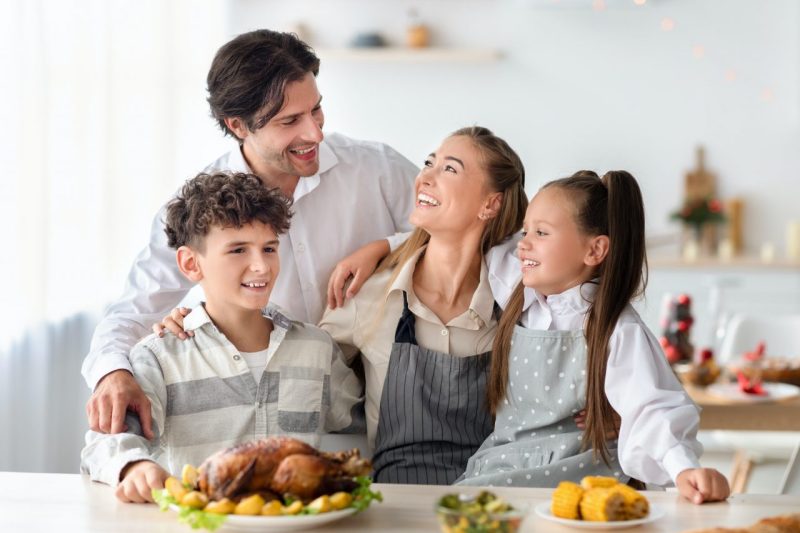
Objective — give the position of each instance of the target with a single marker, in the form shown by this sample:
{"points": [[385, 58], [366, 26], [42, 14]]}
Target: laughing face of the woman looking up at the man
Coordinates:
{"points": [[452, 191]]}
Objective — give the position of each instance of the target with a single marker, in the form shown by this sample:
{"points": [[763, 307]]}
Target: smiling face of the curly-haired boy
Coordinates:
{"points": [[238, 267]]}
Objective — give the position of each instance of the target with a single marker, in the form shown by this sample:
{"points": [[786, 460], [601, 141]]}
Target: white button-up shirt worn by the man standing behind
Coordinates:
{"points": [[363, 192]]}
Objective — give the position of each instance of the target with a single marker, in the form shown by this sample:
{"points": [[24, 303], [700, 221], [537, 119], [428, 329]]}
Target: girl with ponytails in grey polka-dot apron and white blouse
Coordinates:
{"points": [[569, 339]]}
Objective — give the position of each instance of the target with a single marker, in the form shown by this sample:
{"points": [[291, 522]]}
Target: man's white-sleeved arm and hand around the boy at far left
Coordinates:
{"points": [[154, 286]]}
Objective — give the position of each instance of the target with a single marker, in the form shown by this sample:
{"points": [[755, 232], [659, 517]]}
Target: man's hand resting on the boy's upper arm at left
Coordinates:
{"points": [[117, 393]]}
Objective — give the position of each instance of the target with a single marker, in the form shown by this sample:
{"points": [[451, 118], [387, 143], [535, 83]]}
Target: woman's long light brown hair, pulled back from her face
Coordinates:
{"points": [[506, 175]]}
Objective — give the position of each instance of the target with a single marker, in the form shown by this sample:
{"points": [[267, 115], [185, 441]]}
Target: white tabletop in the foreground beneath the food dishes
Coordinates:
{"points": [[70, 503]]}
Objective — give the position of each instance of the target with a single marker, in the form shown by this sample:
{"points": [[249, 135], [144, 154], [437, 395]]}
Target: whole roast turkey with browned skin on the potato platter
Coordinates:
{"points": [[280, 466]]}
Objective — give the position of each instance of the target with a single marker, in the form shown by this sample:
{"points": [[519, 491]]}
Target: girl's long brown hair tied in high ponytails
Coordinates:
{"points": [[609, 206]]}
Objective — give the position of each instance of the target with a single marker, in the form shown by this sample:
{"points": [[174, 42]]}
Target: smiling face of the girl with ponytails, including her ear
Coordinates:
{"points": [[554, 253]]}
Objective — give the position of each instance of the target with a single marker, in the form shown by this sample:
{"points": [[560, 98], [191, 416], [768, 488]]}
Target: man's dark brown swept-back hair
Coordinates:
{"points": [[250, 73]]}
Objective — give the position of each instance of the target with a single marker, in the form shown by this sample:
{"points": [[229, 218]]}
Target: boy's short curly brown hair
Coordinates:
{"points": [[226, 200]]}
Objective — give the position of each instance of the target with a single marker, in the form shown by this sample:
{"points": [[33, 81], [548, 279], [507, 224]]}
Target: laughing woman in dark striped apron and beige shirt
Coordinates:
{"points": [[424, 322]]}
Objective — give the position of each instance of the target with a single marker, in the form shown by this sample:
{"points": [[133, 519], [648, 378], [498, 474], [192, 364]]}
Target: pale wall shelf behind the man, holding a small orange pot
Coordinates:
{"points": [[410, 55]]}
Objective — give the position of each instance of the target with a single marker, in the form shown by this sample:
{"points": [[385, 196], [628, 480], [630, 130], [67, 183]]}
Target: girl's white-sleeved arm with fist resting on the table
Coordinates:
{"points": [[658, 434]]}
